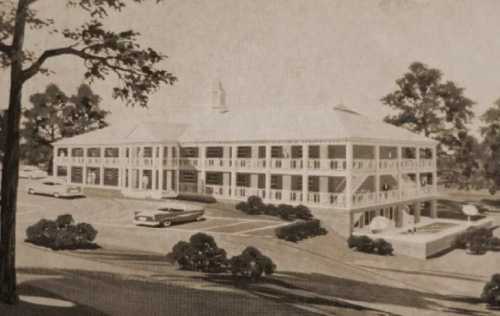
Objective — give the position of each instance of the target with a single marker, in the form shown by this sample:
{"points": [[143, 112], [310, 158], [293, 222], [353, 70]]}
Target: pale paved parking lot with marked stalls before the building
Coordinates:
{"points": [[118, 213]]}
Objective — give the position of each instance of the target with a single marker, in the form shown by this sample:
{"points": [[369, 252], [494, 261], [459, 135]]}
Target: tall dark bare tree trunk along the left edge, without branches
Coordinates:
{"points": [[11, 164]]}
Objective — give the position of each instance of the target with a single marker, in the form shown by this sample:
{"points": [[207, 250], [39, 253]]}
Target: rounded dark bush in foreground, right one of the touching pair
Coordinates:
{"points": [[251, 263]]}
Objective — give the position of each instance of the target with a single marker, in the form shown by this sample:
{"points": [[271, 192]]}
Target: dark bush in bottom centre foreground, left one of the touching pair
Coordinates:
{"points": [[201, 253]]}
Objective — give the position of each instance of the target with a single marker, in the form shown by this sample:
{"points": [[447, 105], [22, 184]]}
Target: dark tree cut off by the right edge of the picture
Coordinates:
{"points": [[491, 133]]}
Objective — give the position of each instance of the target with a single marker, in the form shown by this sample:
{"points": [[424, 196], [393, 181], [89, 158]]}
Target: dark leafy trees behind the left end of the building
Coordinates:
{"points": [[54, 116]]}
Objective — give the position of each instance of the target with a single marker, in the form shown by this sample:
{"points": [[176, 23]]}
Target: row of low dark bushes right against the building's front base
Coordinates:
{"points": [[255, 206]]}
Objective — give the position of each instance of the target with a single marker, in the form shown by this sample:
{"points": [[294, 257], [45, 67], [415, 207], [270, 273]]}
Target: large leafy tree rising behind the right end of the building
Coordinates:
{"points": [[424, 104]]}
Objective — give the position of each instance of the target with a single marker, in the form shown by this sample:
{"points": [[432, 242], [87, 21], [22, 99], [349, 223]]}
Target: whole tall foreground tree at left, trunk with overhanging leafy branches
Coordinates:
{"points": [[103, 52]]}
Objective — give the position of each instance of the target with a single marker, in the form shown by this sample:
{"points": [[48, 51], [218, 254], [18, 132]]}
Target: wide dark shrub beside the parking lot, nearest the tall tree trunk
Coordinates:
{"points": [[61, 234]]}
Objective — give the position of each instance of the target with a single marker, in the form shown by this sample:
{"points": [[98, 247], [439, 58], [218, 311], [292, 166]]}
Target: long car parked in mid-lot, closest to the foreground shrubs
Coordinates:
{"points": [[169, 213]]}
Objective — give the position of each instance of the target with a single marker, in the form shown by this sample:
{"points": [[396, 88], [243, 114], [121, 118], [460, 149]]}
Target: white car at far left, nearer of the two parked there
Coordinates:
{"points": [[55, 187]]}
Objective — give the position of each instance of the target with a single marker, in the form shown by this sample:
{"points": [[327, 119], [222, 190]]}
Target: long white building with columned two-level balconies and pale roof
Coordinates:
{"points": [[335, 161]]}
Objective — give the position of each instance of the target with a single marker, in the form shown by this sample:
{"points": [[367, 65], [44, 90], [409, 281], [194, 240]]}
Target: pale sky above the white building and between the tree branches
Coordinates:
{"points": [[292, 53]]}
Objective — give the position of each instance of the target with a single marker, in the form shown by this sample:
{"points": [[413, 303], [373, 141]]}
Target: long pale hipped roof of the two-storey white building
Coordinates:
{"points": [[268, 125]]}
